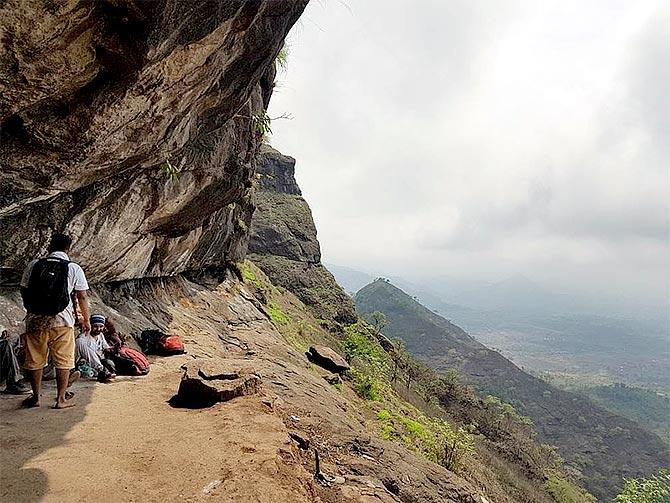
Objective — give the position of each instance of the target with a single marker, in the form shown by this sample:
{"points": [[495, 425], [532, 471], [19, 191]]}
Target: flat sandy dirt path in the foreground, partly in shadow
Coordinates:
{"points": [[124, 442]]}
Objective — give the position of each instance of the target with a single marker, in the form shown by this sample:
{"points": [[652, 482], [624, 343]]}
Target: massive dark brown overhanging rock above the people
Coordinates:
{"points": [[102, 102]]}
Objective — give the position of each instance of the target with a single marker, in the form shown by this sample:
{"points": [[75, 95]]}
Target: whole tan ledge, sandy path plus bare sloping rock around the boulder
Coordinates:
{"points": [[123, 442]]}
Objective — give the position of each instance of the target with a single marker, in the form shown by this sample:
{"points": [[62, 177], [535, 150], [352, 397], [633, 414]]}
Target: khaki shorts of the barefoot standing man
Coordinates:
{"points": [[58, 341]]}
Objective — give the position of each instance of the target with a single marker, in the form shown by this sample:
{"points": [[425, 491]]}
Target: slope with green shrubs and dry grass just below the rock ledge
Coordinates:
{"points": [[404, 401]]}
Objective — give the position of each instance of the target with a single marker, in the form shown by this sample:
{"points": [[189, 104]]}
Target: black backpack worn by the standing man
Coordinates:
{"points": [[47, 292]]}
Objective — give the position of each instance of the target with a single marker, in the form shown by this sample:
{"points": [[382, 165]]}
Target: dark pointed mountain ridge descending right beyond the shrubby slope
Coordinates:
{"points": [[602, 446]]}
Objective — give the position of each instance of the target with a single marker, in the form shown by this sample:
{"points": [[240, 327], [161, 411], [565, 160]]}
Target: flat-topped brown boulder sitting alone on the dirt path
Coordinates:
{"points": [[207, 382]]}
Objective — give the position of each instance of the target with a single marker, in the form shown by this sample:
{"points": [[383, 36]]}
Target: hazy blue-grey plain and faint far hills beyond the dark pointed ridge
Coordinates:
{"points": [[633, 350]]}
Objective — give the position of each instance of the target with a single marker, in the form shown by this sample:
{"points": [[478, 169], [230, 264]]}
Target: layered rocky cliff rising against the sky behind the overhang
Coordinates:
{"points": [[283, 241]]}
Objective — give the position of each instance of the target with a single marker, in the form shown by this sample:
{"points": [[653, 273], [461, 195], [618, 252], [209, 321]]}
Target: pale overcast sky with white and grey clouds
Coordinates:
{"points": [[480, 139]]}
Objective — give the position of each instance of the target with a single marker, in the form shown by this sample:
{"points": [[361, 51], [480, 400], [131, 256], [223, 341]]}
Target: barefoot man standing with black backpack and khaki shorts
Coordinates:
{"points": [[47, 287]]}
